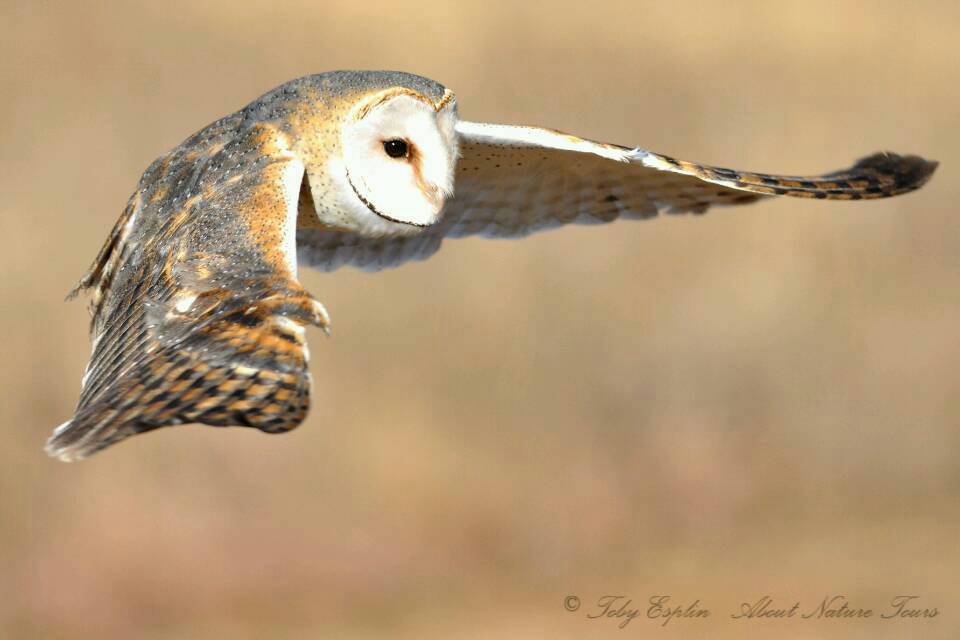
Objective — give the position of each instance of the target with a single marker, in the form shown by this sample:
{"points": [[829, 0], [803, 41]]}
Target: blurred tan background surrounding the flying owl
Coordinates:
{"points": [[756, 402]]}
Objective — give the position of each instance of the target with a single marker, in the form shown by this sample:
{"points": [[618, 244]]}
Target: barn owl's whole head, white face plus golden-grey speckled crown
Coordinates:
{"points": [[384, 162]]}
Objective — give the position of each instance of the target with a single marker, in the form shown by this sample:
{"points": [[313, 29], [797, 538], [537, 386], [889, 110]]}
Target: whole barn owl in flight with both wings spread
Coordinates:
{"points": [[198, 316]]}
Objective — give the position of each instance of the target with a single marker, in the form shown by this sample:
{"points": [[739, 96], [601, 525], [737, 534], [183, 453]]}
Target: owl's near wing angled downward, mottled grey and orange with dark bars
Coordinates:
{"points": [[198, 316]]}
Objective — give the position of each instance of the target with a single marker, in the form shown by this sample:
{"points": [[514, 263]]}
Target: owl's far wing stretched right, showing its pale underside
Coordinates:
{"points": [[512, 181]]}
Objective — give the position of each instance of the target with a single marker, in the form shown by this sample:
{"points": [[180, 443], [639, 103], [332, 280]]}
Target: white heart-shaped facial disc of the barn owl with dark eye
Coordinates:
{"points": [[398, 160]]}
